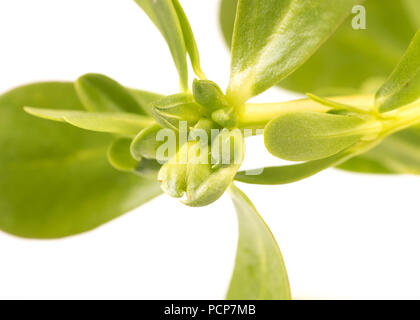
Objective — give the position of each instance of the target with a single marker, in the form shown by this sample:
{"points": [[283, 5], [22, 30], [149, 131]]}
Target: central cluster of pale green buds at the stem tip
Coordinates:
{"points": [[196, 142]]}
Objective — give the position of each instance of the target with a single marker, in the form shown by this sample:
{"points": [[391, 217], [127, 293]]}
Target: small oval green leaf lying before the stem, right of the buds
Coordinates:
{"points": [[304, 136]]}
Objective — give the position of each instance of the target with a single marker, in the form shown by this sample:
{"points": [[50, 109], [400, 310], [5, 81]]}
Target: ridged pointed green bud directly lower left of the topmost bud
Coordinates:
{"points": [[170, 110]]}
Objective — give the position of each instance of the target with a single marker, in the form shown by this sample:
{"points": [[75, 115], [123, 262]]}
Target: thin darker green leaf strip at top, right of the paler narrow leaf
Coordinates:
{"points": [[189, 39]]}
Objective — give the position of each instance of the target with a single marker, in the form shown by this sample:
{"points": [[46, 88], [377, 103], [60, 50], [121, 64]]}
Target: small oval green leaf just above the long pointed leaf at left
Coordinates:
{"points": [[99, 93]]}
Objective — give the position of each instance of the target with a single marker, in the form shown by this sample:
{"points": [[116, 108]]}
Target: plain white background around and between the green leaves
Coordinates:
{"points": [[342, 235]]}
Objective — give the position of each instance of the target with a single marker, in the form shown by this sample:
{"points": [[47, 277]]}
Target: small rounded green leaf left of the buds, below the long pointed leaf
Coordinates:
{"points": [[119, 155]]}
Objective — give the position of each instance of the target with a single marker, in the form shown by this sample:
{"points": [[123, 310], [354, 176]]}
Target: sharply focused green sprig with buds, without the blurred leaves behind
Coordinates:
{"points": [[191, 144]]}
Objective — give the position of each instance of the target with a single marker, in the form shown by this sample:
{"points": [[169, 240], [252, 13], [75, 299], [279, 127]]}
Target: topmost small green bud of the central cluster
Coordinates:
{"points": [[209, 95]]}
